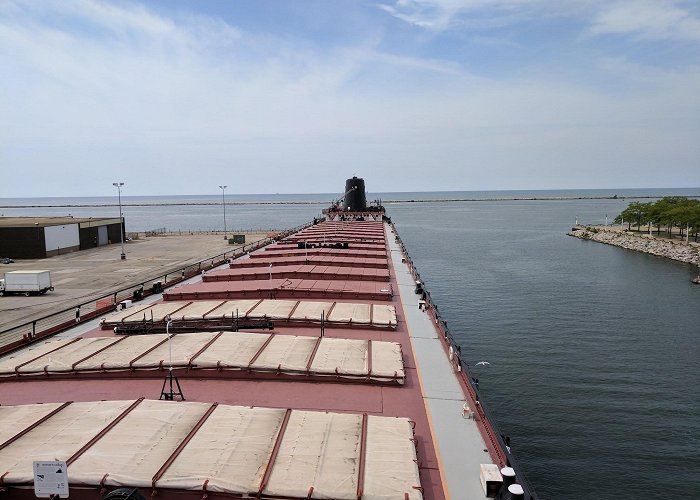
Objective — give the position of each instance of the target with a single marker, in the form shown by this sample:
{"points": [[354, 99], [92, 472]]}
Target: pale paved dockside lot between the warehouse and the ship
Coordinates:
{"points": [[80, 276]]}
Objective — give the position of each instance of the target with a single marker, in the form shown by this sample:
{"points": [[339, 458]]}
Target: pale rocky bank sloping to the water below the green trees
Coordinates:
{"points": [[675, 250]]}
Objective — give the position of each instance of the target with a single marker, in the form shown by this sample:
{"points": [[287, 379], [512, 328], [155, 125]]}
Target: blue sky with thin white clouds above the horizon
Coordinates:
{"points": [[179, 97]]}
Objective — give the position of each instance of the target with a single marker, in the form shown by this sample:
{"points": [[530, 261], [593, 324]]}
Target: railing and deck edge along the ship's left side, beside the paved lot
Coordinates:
{"points": [[20, 335]]}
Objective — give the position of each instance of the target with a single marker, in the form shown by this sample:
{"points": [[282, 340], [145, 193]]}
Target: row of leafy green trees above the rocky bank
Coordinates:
{"points": [[669, 212]]}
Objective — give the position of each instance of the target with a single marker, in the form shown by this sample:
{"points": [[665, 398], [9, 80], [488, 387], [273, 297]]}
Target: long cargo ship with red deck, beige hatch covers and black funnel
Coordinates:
{"points": [[312, 368]]}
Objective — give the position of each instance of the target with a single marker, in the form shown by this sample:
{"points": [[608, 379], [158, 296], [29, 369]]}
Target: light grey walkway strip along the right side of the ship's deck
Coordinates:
{"points": [[459, 445]]}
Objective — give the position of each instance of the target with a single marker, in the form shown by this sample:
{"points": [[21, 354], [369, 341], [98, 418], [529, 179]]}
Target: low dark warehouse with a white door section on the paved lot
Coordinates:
{"points": [[39, 237]]}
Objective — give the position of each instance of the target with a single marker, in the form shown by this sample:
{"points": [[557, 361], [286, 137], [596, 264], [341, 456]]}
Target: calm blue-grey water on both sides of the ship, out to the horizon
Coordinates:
{"points": [[593, 349]]}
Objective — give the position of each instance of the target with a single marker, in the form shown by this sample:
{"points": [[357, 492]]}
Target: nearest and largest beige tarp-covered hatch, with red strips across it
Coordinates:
{"points": [[170, 447]]}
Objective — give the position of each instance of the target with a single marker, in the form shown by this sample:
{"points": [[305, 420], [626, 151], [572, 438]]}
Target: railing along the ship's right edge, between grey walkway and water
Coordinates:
{"points": [[499, 443]]}
